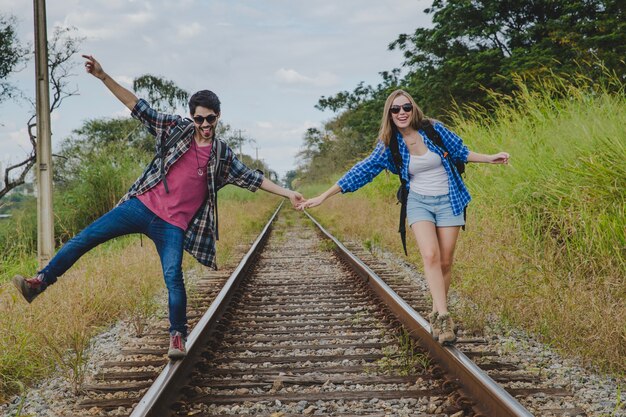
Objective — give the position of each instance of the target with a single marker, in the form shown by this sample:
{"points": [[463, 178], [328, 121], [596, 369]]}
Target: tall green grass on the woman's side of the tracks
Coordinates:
{"points": [[545, 243]]}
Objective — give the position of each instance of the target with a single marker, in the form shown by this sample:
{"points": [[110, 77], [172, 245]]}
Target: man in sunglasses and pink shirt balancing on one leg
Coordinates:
{"points": [[173, 202]]}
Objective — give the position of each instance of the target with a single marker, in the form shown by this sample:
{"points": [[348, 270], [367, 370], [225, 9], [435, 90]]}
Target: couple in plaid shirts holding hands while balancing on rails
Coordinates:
{"points": [[174, 201]]}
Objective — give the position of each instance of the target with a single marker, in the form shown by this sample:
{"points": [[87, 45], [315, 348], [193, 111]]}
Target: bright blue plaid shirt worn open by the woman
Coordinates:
{"points": [[365, 171]]}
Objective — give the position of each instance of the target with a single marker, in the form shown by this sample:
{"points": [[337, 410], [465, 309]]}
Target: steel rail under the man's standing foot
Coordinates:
{"points": [[158, 396]]}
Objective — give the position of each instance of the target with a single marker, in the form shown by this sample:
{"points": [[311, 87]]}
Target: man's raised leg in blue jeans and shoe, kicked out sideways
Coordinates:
{"points": [[129, 217]]}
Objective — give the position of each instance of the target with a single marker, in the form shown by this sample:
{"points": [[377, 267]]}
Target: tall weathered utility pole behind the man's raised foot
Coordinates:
{"points": [[45, 219]]}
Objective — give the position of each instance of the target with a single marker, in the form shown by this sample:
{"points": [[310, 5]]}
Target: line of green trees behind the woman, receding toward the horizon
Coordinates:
{"points": [[472, 55]]}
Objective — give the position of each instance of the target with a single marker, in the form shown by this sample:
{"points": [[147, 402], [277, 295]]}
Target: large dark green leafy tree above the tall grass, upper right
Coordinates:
{"points": [[477, 46]]}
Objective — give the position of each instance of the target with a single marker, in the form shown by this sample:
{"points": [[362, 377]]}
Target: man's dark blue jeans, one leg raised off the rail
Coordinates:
{"points": [[132, 216]]}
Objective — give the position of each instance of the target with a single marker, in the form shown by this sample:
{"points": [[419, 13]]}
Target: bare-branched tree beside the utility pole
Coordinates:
{"points": [[61, 50]]}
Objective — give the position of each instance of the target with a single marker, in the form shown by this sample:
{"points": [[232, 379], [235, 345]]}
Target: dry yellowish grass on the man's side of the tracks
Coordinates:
{"points": [[117, 280]]}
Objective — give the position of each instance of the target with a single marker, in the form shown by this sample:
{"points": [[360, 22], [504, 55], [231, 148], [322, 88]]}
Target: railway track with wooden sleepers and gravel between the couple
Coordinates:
{"points": [[303, 327]]}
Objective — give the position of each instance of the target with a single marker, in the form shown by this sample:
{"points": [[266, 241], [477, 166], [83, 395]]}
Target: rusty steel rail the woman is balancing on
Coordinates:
{"points": [[492, 399]]}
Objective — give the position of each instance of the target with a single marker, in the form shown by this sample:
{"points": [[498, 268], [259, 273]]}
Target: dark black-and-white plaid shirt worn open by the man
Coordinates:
{"points": [[201, 234]]}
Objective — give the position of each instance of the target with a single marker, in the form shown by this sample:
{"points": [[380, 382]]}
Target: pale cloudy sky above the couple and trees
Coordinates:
{"points": [[268, 61]]}
